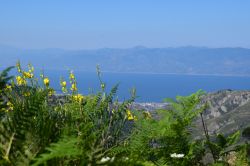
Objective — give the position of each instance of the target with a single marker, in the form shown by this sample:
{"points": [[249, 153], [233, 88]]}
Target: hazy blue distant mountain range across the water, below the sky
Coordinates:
{"points": [[181, 60]]}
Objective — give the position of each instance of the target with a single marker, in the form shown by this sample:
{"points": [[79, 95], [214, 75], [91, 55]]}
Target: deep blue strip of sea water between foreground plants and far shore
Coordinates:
{"points": [[151, 87]]}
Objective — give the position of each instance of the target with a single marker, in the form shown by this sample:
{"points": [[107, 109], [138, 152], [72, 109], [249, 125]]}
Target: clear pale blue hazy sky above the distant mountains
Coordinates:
{"points": [[75, 24]]}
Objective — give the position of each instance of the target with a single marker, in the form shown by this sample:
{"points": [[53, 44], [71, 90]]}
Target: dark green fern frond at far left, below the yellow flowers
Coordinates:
{"points": [[17, 128]]}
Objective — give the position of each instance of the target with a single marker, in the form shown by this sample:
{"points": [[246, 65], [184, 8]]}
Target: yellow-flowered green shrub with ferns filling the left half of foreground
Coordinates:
{"points": [[84, 128]]}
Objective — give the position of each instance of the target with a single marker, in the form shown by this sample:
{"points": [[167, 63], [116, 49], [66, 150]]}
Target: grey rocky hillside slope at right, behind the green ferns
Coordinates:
{"points": [[229, 111]]}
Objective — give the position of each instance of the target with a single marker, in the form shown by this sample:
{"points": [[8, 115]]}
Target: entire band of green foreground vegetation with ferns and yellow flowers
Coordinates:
{"points": [[98, 130]]}
